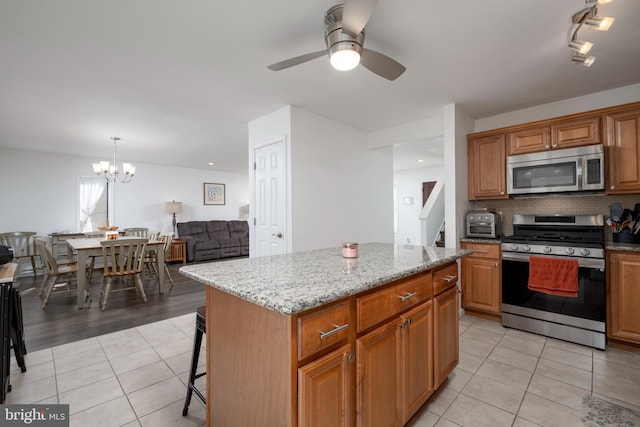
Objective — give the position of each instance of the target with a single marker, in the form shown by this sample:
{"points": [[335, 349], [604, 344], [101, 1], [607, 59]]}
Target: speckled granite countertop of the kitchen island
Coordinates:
{"points": [[295, 282]]}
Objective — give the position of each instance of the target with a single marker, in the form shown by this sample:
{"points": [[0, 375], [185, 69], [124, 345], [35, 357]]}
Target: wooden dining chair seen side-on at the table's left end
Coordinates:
{"points": [[57, 277]]}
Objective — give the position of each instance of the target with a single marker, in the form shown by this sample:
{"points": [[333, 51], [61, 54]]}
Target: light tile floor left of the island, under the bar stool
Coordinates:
{"points": [[134, 377]]}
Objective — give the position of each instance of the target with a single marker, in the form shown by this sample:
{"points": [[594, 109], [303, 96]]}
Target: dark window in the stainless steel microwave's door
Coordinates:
{"points": [[545, 176]]}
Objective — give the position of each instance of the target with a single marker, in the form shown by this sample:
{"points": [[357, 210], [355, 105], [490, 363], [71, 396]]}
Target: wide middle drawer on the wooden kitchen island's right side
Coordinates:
{"points": [[381, 305]]}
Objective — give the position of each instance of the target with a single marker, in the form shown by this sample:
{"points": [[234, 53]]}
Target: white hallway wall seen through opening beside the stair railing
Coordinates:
{"points": [[409, 184]]}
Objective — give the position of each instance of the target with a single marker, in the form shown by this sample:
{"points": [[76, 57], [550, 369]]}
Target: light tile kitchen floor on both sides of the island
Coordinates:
{"points": [[505, 377]]}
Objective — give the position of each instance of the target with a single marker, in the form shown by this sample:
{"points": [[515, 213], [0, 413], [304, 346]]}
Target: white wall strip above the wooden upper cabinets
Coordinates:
{"points": [[579, 104]]}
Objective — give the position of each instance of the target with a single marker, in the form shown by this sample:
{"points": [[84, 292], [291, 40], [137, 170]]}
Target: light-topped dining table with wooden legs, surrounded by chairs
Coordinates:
{"points": [[86, 247]]}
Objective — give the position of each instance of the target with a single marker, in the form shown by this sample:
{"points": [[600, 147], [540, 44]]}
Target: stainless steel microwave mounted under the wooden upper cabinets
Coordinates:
{"points": [[568, 169]]}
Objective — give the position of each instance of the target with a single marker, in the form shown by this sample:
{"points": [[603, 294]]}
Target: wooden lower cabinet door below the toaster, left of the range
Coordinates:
{"points": [[481, 284]]}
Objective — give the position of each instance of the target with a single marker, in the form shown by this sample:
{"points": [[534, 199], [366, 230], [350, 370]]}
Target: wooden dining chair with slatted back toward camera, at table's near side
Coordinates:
{"points": [[122, 258]]}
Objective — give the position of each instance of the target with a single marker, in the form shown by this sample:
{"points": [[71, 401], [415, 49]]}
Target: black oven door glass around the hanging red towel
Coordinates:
{"points": [[589, 304]]}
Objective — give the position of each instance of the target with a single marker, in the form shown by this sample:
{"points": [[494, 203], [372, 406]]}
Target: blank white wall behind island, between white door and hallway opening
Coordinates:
{"points": [[341, 190]]}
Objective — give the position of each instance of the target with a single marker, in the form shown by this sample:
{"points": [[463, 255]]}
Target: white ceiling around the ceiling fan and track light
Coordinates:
{"points": [[178, 81]]}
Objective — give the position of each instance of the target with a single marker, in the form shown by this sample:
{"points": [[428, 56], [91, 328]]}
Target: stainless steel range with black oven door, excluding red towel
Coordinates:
{"points": [[579, 319]]}
